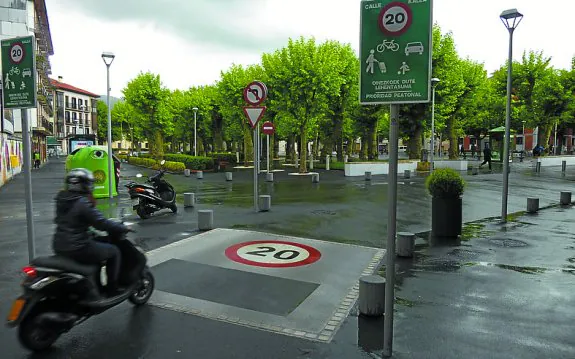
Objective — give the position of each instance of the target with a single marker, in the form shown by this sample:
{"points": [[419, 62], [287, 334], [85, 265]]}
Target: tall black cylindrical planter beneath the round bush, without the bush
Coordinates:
{"points": [[446, 217]]}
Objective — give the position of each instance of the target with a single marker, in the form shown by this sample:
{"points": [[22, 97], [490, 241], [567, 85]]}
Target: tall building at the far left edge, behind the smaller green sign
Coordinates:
{"points": [[24, 18]]}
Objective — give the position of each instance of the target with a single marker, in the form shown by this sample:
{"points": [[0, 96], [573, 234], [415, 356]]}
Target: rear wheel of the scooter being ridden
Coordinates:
{"points": [[35, 336]]}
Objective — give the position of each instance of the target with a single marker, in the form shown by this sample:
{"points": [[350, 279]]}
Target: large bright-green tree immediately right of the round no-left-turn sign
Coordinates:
{"points": [[302, 76]]}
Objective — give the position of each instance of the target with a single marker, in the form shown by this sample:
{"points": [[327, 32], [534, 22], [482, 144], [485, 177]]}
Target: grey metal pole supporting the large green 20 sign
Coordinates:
{"points": [[391, 229]]}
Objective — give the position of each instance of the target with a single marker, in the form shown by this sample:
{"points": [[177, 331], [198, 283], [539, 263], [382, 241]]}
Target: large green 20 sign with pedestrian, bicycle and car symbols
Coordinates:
{"points": [[395, 51]]}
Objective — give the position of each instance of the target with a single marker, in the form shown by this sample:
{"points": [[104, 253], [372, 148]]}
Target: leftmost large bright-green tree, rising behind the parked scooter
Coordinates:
{"points": [[149, 98]]}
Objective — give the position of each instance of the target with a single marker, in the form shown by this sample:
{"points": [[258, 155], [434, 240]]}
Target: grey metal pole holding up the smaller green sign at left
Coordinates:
{"points": [[28, 184]]}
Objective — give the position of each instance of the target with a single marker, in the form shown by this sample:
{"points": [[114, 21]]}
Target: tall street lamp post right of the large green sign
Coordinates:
{"points": [[511, 19]]}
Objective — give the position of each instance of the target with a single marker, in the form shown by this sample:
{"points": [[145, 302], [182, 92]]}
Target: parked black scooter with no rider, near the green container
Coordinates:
{"points": [[152, 197]]}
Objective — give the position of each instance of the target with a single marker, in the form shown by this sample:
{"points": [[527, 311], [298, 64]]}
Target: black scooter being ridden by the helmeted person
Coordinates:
{"points": [[60, 293]]}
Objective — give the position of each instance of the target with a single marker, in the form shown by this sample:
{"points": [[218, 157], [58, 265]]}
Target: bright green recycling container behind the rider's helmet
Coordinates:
{"points": [[95, 159]]}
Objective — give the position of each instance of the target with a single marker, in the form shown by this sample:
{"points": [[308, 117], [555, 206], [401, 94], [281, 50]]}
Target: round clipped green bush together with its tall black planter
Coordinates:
{"points": [[446, 187]]}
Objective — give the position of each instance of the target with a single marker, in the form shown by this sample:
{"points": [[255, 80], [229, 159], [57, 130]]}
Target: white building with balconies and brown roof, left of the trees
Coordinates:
{"points": [[75, 113]]}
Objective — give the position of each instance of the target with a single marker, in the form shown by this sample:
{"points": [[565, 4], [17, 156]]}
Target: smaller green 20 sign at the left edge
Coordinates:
{"points": [[19, 72]]}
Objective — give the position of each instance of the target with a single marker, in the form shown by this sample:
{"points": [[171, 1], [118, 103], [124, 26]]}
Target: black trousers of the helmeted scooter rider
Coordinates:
{"points": [[97, 252]]}
